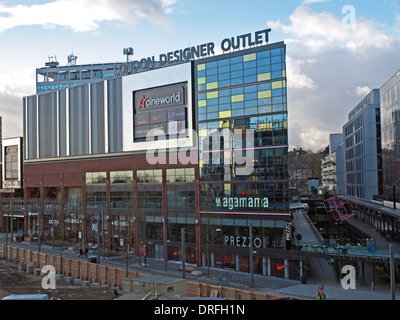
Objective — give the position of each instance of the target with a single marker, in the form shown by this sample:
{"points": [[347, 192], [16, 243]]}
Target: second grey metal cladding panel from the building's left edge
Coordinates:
{"points": [[48, 125]]}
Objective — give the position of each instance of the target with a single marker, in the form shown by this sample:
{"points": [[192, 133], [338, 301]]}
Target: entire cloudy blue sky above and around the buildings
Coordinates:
{"points": [[337, 51]]}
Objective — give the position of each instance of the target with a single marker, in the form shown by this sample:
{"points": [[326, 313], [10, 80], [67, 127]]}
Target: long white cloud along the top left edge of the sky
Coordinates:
{"points": [[83, 15]]}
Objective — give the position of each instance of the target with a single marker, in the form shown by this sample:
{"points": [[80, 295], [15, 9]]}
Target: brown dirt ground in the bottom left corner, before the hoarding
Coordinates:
{"points": [[14, 281]]}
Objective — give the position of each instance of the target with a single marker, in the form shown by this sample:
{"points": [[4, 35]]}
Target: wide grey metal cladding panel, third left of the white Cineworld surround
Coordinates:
{"points": [[79, 120]]}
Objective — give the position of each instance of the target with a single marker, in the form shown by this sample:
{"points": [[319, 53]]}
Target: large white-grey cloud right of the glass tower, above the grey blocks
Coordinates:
{"points": [[328, 67]]}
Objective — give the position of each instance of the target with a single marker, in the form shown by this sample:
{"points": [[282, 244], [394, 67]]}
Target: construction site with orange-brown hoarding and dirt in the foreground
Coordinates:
{"points": [[23, 271]]}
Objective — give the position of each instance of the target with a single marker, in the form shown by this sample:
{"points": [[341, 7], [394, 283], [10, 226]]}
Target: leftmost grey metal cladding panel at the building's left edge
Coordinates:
{"points": [[31, 123]]}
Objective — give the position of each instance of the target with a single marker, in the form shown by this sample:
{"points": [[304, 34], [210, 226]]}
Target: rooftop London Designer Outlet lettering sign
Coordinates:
{"points": [[192, 53]]}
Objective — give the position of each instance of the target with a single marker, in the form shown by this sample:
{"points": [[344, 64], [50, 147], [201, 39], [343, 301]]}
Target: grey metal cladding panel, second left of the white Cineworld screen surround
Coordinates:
{"points": [[97, 118]]}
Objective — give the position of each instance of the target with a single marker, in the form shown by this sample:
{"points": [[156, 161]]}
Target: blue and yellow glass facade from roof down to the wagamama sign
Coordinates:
{"points": [[239, 95]]}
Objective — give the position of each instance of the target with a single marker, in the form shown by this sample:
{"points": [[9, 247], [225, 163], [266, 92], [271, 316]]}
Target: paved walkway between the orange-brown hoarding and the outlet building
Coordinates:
{"points": [[271, 285]]}
